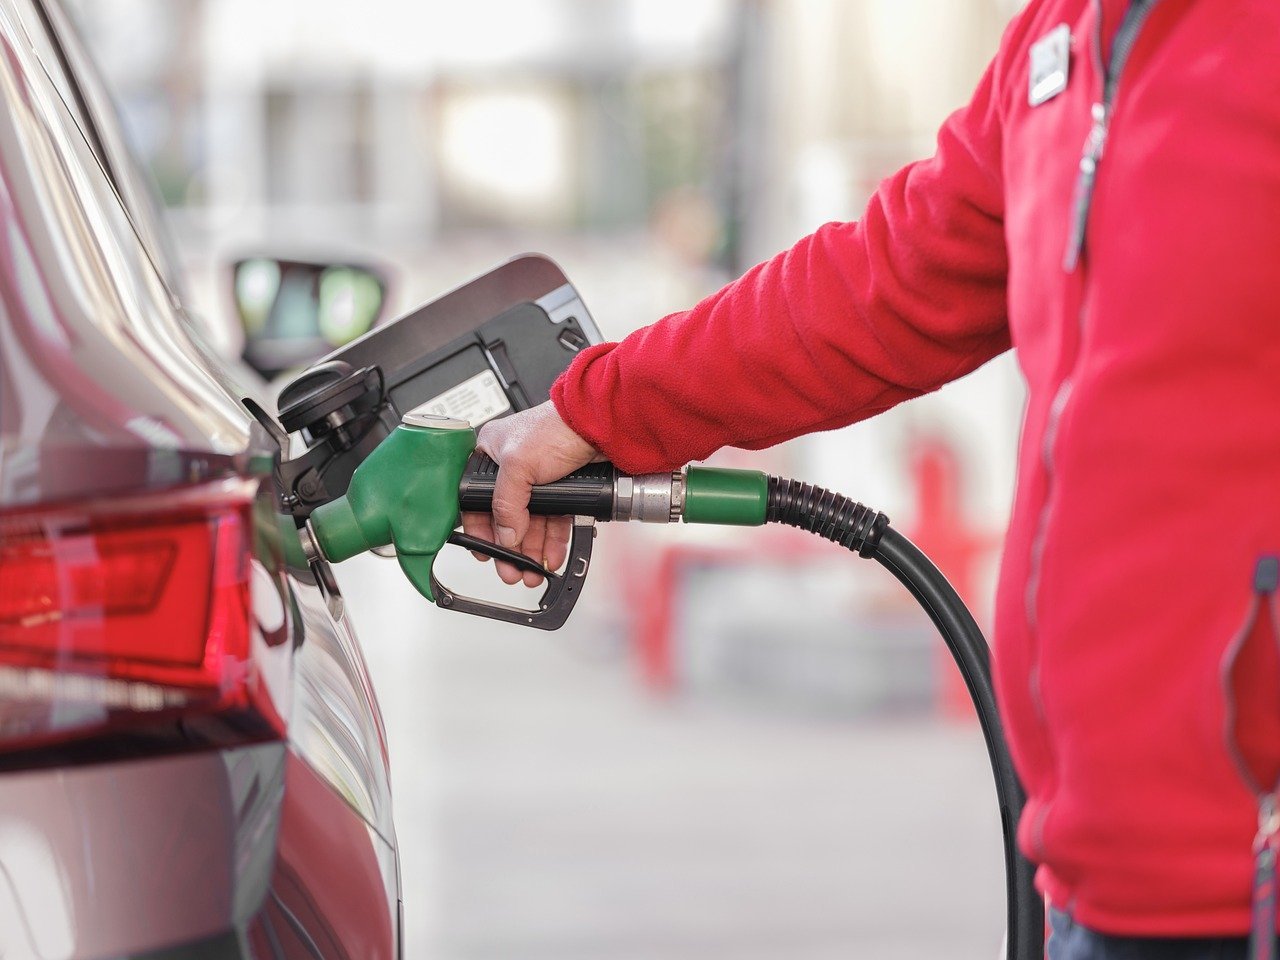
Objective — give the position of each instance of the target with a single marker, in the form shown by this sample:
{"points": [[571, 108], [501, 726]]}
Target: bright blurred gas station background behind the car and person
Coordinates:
{"points": [[655, 149]]}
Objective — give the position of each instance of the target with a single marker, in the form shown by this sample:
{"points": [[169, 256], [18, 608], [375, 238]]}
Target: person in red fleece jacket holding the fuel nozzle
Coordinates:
{"points": [[1108, 205]]}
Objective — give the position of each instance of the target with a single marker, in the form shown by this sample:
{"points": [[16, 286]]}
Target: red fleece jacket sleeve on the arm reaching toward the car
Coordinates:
{"points": [[852, 321]]}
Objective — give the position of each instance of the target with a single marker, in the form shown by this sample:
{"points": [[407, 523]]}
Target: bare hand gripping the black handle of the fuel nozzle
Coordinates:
{"points": [[531, 447]]}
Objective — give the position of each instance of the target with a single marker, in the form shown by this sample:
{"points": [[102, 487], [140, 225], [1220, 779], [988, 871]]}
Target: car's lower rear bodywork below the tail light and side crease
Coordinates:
{"points": [[248, 848]]}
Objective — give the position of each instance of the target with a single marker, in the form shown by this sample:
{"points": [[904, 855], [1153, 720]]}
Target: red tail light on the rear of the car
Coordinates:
{"points": [[121, 615]]}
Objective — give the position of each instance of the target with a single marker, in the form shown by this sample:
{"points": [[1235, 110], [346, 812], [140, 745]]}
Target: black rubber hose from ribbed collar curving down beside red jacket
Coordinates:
{"points": [[868, 533]]}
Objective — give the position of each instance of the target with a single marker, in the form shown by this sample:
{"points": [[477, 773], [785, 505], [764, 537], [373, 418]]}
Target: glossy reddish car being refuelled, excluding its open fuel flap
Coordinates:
{"points": [[193, 761]]}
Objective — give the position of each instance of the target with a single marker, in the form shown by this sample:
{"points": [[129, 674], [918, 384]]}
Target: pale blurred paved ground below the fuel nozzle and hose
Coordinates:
{"points": [[548, 810]]}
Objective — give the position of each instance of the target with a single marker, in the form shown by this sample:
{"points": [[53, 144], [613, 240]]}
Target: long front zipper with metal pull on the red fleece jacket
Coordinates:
{"points": [[1136, 16]]}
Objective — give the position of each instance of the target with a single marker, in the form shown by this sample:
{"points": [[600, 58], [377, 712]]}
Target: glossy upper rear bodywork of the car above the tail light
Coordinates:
{"points": [[106, 388]]}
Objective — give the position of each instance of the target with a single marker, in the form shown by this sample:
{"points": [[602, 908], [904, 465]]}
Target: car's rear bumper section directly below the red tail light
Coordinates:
{"points": [[93, 857]]}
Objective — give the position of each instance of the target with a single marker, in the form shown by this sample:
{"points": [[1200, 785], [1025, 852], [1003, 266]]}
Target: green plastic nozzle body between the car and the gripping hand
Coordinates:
{"points": [[405, 495]]}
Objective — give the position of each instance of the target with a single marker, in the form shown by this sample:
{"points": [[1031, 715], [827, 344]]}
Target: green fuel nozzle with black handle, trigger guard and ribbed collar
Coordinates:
{"points": [[409, 495]]}
